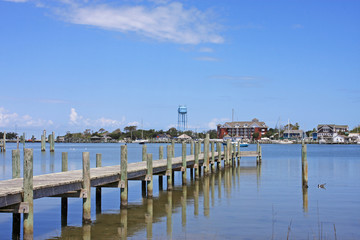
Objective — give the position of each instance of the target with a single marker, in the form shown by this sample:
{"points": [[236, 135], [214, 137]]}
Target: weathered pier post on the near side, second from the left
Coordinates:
{"points": [[86, 185]]}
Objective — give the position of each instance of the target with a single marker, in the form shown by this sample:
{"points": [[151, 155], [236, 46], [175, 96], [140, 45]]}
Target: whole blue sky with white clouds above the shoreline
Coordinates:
{"points": [[76, 64]]}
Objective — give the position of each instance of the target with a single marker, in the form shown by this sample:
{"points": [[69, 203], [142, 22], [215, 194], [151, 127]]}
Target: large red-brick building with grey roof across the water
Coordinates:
{"points": [[242, 130]]}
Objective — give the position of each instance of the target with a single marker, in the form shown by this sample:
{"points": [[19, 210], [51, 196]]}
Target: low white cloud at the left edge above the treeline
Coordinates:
{"points": [[9, 119]]}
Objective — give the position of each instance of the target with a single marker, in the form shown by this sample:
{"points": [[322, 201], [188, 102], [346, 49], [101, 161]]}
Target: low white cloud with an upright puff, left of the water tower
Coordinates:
{"points": [[77, 120]]}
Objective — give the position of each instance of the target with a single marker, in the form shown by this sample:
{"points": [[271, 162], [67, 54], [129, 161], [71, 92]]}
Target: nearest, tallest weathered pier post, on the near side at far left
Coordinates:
{"points": [[28, 221]]}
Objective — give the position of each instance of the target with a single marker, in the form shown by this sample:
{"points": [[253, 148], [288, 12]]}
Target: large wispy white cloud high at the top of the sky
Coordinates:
{"points": [[162, 20]]}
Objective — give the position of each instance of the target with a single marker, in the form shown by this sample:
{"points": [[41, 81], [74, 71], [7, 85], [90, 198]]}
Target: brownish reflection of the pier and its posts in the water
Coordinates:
{"points": [[140, 218]]}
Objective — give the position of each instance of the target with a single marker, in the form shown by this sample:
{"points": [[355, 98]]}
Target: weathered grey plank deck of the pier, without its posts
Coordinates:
{"points": [[53, 184]]}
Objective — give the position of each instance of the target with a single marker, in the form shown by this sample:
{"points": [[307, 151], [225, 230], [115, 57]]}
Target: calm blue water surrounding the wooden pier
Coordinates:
{"points": [[240, 203]]}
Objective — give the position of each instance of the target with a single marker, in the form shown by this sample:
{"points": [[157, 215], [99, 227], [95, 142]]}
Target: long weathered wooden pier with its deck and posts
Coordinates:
{"points": [[17, 194]]}
